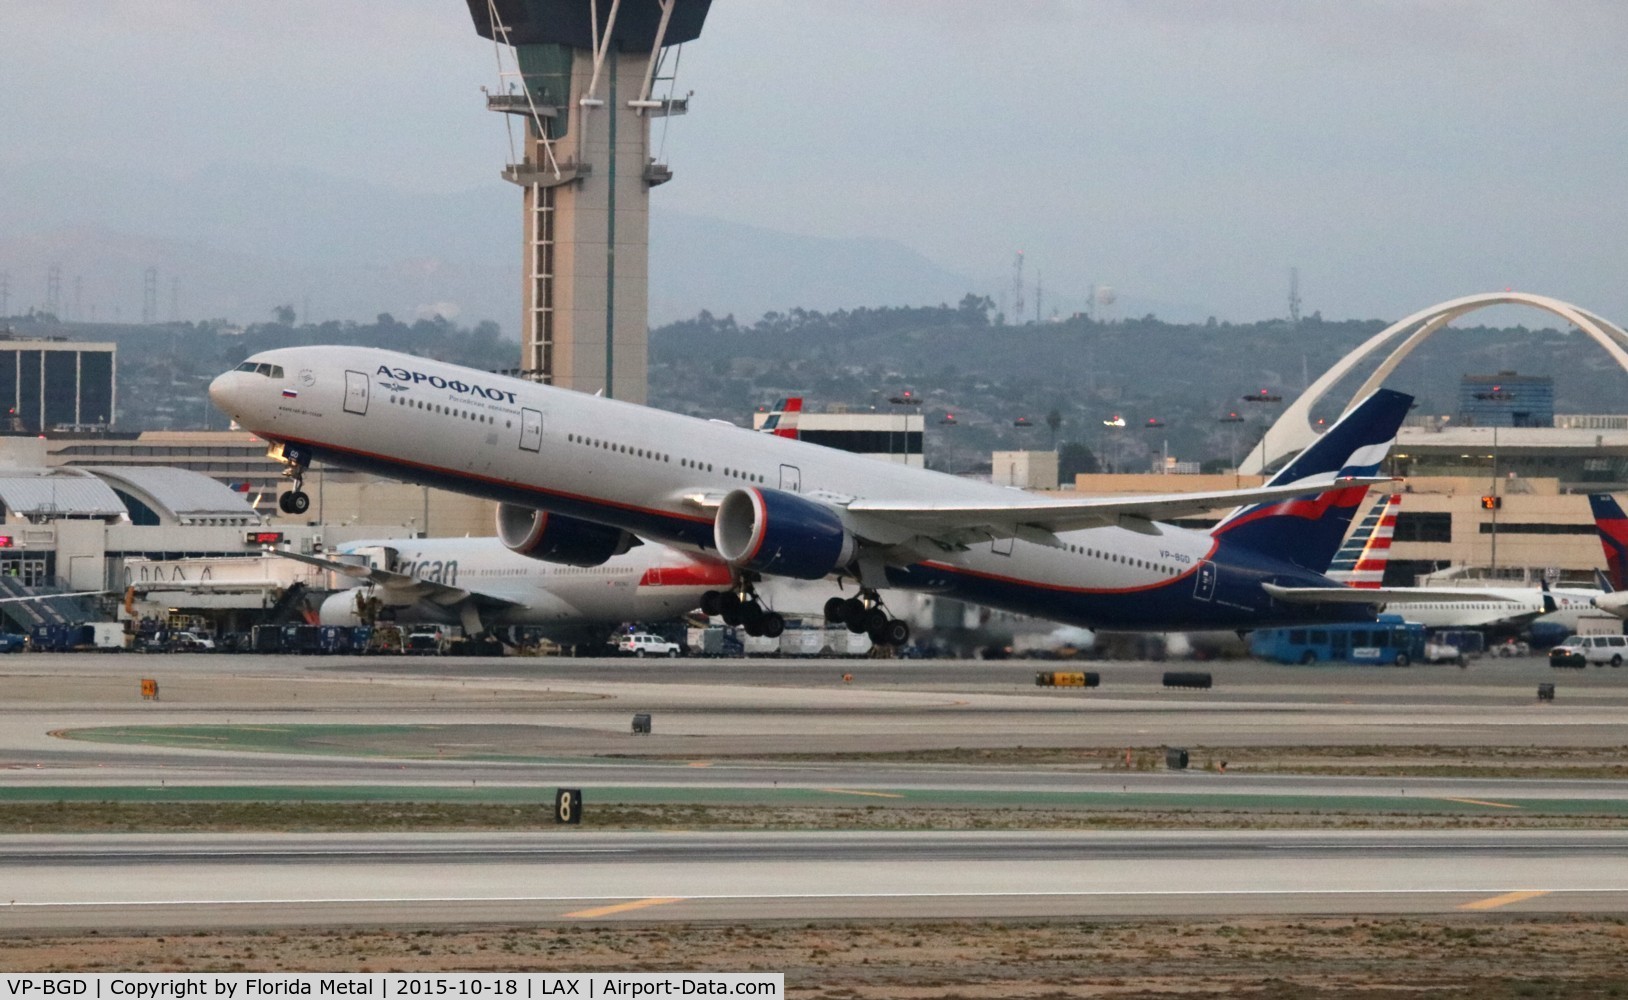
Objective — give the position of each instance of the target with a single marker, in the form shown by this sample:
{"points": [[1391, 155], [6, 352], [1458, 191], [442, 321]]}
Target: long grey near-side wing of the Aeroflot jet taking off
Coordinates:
{"points": [[1036, 520]]}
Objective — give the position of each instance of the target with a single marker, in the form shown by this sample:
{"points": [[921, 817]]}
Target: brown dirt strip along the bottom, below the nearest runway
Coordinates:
{"points": [[1375, 958]]}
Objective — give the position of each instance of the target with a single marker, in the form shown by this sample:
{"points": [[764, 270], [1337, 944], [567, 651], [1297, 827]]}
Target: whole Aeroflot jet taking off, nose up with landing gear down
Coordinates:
{"points": [[579, 476]]}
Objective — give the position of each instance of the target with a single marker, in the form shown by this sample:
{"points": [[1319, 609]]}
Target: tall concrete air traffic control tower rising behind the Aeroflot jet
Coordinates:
{"points": [[582, 77]]}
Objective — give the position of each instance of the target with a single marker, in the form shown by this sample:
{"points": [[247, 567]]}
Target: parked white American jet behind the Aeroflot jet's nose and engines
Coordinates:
{"points": [[481, 586]]}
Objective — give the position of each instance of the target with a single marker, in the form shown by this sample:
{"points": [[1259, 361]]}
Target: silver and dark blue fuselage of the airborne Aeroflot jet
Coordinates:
{"points": [[652, 473]]}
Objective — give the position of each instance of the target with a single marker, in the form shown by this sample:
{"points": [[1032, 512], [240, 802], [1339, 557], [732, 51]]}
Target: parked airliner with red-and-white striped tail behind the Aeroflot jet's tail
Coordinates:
{"points": [[1362, 564]]}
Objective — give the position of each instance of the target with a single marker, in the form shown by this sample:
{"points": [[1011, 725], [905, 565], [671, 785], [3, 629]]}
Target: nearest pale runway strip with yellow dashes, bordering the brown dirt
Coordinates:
{"points": [[455, 879]]}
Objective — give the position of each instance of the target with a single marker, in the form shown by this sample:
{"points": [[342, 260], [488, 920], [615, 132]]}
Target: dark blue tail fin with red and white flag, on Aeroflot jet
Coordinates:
{"points": [[1308, 530]]}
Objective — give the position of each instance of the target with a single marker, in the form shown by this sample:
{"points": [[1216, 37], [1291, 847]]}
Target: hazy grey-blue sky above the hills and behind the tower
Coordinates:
{"points": [[1398, 152]]}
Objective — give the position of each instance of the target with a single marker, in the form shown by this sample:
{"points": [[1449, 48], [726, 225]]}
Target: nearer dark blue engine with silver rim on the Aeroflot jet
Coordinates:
{"points": [[784, 535]]}
